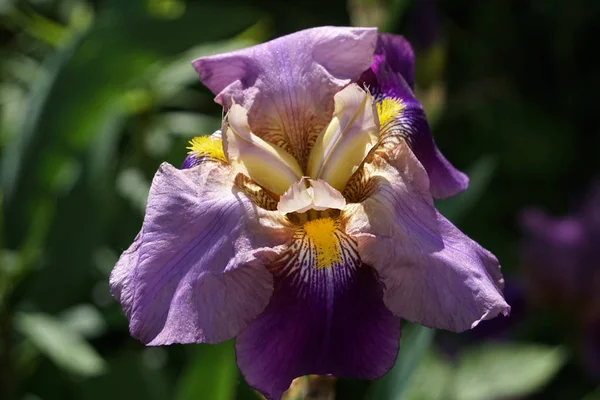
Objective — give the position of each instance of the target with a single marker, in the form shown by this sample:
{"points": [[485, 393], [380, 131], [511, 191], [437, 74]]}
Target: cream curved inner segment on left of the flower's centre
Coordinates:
{"points": [[268, 165]]}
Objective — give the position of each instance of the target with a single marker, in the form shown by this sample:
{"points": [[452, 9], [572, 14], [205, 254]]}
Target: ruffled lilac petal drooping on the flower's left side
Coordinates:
{"points": [[191, 274]]}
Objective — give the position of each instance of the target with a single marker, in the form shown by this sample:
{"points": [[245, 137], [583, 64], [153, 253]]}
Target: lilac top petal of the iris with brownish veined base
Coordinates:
{"points": [[288, 84]]}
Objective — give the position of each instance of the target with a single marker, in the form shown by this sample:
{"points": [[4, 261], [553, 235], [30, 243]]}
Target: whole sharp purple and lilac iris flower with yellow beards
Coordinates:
{"points": [[306, 227]]}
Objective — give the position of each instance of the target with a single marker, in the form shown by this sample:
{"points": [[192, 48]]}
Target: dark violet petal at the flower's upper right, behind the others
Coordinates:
{"points": [[391, 76]]}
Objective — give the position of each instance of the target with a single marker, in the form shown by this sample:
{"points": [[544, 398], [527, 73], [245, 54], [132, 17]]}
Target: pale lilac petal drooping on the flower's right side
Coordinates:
{"points": [[432, 272]]}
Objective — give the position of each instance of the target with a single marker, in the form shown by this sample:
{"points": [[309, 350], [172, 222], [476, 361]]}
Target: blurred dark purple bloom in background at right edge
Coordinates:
{"points": [[563, 265]]}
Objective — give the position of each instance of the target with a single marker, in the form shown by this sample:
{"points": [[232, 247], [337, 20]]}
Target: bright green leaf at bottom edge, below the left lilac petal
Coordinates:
{"points": [[211, 374]]}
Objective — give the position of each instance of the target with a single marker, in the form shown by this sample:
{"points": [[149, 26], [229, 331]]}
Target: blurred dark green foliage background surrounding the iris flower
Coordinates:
{"points": [[94, 95]]}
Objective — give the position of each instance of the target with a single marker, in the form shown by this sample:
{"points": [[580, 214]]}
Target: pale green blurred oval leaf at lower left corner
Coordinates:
{"points": [[64, 346]]}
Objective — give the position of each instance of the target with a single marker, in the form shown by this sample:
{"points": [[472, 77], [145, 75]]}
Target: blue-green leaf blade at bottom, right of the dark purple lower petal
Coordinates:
{"points": [[415, 341]]}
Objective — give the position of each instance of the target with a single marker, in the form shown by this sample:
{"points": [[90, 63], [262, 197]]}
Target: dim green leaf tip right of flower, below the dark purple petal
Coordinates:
{"points": [[480, 175]]}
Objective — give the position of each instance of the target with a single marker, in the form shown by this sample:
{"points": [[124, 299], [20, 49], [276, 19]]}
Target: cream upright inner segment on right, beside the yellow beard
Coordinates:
{"points": [[344, 144]]}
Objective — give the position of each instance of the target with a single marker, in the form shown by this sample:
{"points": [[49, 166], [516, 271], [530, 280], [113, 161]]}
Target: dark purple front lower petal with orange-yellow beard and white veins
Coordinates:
{"points": [[326, 316]]}
